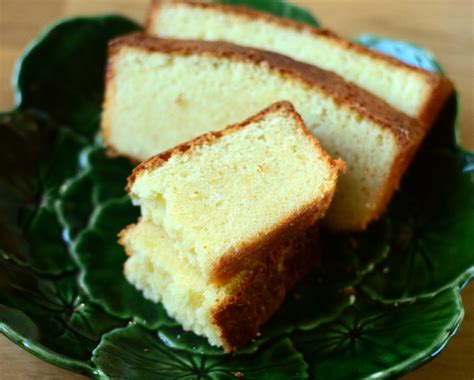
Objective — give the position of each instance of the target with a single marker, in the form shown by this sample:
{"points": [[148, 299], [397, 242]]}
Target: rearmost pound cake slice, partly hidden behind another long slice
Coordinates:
{"points": [[416, 92]]}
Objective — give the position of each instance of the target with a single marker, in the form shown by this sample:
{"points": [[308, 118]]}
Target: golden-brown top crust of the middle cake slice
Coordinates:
{"points": [[359, 101]]}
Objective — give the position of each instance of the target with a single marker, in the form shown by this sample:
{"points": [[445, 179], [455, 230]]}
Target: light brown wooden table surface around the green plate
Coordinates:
{"points": [[445, 27]]}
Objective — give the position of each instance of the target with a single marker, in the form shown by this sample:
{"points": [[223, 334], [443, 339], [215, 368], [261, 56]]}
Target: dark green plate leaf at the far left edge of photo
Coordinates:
{"points": [[35, 157]]}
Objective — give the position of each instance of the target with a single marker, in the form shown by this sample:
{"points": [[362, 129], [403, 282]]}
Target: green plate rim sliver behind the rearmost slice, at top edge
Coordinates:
{"points": [[279, 8]]}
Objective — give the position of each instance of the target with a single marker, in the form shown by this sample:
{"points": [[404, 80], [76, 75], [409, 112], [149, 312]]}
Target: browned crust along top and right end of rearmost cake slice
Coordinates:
{"points": [[441, 87]]}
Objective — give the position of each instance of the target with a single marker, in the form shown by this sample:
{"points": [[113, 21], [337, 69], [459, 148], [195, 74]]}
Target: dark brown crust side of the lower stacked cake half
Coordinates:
{"points": [[261, 293]]}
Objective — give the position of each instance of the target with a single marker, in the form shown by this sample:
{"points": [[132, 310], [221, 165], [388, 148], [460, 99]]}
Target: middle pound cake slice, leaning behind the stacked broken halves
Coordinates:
{"points": [[160, 93]]}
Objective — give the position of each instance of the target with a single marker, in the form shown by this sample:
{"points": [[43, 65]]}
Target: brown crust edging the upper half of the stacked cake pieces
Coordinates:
{"points": [[245, 256]]}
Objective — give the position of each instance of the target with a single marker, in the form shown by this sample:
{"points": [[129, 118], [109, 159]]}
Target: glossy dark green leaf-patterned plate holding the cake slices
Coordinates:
{"points": [[382, 303]]}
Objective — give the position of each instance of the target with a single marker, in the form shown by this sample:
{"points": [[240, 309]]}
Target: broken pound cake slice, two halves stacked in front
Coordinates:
{"points": [[222, 236]]}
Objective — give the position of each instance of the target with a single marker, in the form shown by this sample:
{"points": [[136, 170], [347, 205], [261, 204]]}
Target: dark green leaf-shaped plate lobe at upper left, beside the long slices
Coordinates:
{"points": [[72, 56]]}
